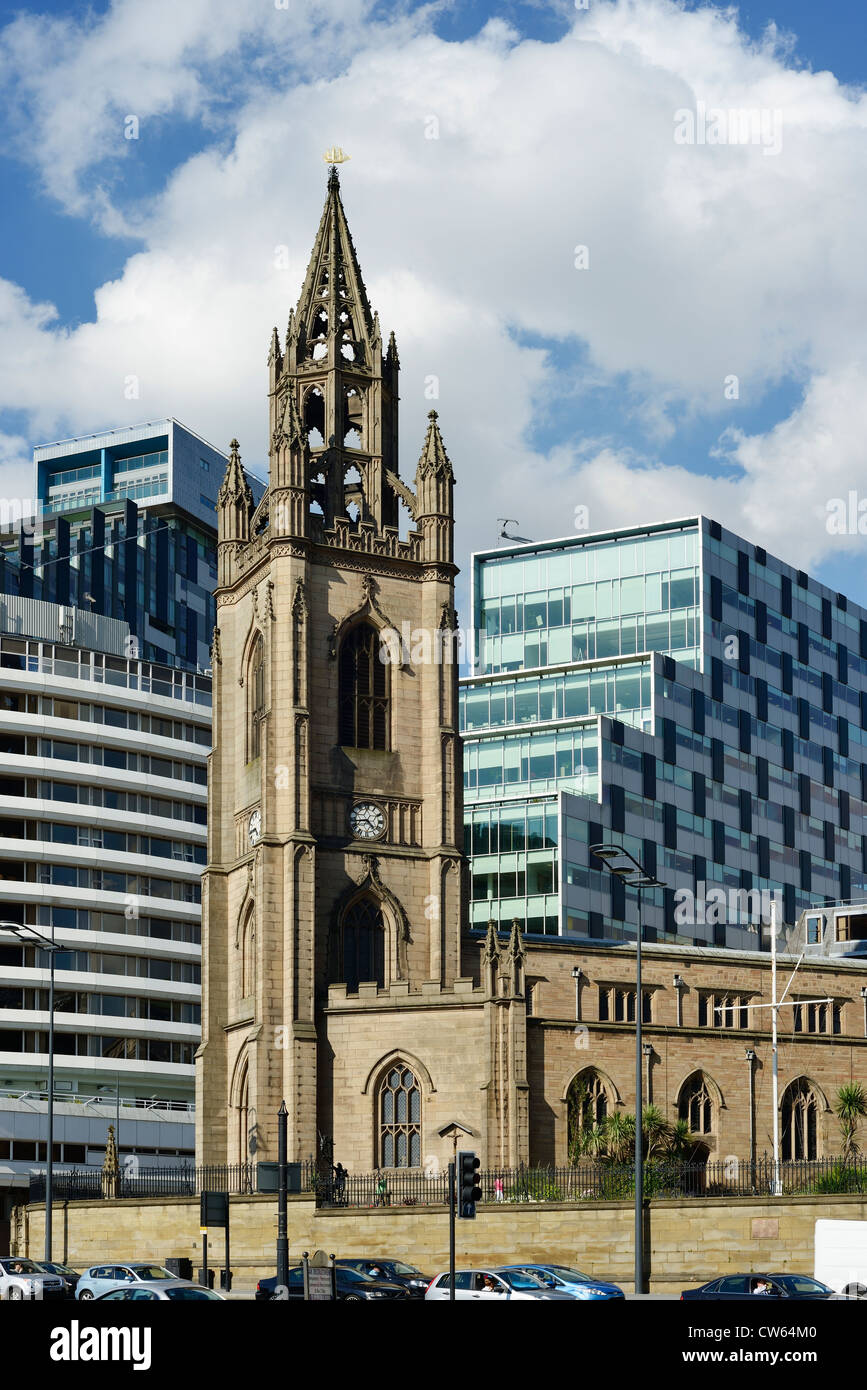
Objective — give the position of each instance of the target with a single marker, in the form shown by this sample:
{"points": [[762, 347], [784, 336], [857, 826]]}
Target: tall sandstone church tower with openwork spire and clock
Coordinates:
{"points": [[334, 897]]}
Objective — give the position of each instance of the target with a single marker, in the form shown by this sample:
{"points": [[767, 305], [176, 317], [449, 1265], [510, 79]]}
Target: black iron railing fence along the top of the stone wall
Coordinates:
{"points": [[588, 1181]]}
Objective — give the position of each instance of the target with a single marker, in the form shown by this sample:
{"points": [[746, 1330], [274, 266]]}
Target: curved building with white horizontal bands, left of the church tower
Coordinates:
{"points": [[104, 800]]}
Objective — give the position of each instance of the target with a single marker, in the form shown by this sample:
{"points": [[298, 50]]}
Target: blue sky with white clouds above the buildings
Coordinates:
{"points": [[555, 389]]}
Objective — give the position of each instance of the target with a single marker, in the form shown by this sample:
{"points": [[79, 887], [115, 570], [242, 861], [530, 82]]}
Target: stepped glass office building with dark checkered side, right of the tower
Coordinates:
{"points": [[679, 692]]}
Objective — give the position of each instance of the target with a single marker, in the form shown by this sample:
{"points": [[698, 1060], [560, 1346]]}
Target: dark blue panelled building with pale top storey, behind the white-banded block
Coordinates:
{"points": [[127, 528]]}
